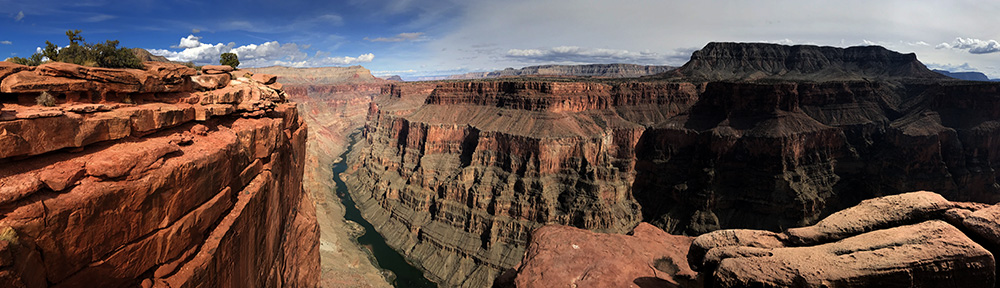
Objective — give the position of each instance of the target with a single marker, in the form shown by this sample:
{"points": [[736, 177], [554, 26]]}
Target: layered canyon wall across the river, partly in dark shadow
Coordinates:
{"points": [[460, 181]]}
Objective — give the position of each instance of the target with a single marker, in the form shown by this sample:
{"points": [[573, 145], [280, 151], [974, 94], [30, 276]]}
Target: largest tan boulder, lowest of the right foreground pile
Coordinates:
{"points": [[927, 254]]}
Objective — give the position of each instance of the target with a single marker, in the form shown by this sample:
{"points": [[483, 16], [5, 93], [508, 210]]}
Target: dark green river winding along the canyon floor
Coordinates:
{"points": [[387, 258]]}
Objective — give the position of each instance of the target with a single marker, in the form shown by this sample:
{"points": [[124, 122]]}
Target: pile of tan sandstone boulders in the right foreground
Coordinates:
{"points": [[897, 240]]}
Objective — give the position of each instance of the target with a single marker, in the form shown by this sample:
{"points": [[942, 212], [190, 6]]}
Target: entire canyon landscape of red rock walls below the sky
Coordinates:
{"points": [[751, 165]]}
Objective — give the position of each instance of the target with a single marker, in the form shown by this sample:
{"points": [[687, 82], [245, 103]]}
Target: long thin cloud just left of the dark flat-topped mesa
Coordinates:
{"points": [[574, 54]]}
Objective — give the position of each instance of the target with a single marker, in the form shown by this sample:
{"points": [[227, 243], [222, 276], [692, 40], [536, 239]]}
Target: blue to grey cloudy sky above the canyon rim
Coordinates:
{"points": [[415, 38]]}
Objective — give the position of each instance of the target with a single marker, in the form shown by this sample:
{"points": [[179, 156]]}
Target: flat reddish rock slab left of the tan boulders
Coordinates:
{"points": [[562, 256]]}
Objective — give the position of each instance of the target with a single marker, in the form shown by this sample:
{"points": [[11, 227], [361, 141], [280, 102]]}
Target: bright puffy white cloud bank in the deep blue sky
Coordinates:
{"points": [[254, 55]]}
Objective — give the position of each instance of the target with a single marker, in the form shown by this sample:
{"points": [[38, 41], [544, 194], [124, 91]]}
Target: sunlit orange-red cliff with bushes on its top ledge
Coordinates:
{"points": [[177, 189]]}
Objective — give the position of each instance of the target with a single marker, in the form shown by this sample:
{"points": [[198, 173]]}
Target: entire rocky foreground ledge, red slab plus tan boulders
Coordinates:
{"points": [[916, 239]]}
